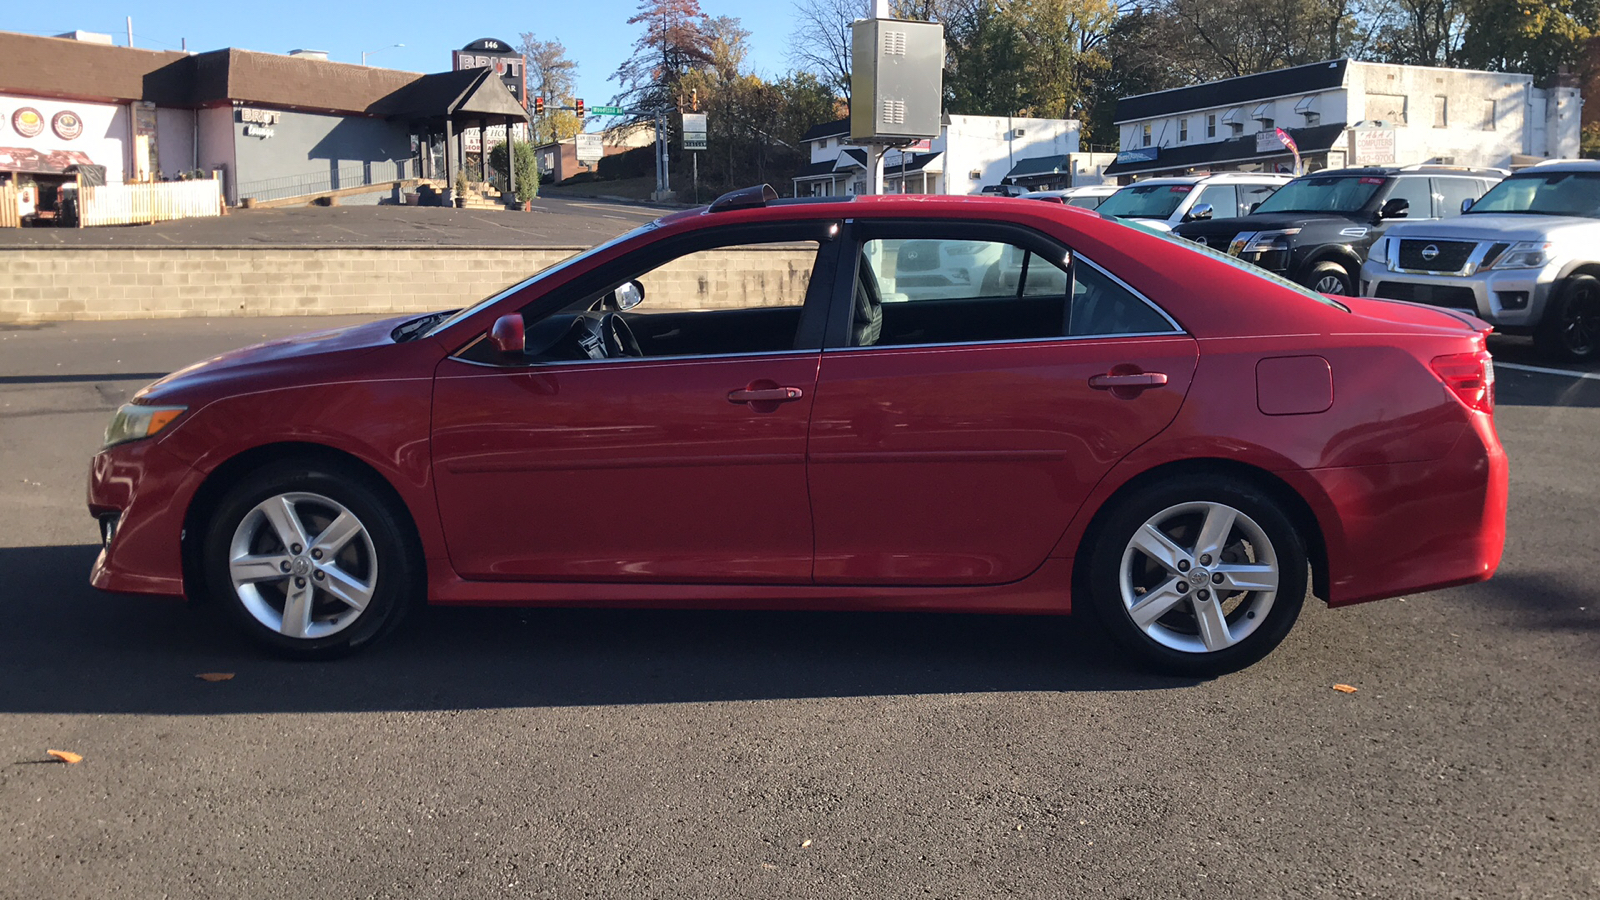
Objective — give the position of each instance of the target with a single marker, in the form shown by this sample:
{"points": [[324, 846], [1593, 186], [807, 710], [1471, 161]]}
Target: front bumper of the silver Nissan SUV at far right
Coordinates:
{"points": [[1506, 299]]}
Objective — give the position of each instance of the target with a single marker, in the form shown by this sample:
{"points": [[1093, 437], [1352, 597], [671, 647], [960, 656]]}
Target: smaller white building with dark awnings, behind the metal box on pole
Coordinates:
{"points": [[970, 153]]}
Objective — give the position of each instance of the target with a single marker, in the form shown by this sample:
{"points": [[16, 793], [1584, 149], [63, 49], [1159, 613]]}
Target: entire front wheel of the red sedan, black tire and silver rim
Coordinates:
{"points": [[345, 598]]}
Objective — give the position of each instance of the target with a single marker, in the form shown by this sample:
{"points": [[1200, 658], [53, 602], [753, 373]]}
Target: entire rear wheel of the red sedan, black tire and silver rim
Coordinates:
{"points": [[1196, 629]]}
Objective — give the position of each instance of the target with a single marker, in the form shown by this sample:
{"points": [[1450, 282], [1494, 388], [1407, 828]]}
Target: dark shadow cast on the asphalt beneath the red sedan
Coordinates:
{"points": [[66, 648]]}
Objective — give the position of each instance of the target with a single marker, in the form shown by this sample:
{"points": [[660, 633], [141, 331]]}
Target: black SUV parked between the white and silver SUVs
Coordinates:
{"points": [[1318, 228]]}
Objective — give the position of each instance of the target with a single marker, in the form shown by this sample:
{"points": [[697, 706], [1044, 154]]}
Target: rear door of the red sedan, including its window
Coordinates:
{"points": [[956, 433]]}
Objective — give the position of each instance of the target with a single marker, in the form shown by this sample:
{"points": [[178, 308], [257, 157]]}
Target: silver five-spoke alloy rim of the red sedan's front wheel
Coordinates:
{"points": [[303, 566]]}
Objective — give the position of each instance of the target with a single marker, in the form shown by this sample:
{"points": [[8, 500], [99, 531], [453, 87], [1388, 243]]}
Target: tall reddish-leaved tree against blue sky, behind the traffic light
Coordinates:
{"points": [[676, 42]]}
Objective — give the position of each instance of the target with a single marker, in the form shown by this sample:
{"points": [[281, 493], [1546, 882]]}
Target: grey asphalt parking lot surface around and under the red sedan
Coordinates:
{"points": [[554, 753]]}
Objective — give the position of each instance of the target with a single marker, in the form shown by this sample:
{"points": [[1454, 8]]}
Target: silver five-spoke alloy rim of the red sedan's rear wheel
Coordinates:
{"points": [[1199, 577]]}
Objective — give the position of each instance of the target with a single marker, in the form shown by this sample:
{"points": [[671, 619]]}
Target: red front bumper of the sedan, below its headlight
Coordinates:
{"points": [[146, 492]]}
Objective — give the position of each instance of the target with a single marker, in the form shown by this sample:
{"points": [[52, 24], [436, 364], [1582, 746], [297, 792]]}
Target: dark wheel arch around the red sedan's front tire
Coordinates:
{"points": [[236, 468]]}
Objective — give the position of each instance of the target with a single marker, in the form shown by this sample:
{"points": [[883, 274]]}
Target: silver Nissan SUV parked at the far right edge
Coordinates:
{"points": [[1526, 259]]}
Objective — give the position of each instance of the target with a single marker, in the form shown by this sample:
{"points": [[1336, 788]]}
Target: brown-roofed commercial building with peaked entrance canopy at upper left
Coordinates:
{"points": [[270, 126]]}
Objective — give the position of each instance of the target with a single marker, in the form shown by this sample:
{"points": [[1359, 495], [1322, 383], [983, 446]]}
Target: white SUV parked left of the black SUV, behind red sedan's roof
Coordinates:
{"points": [[1169, 203]]}
